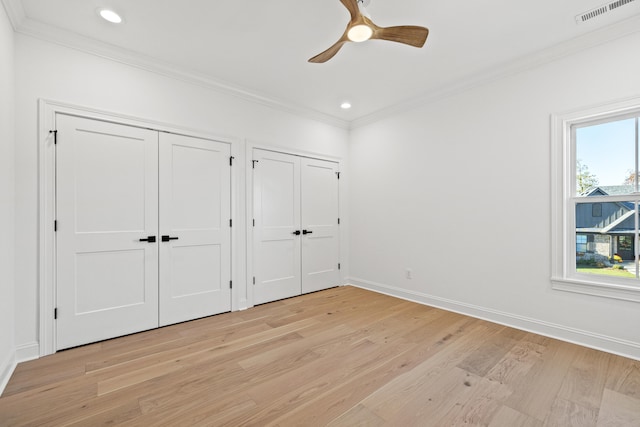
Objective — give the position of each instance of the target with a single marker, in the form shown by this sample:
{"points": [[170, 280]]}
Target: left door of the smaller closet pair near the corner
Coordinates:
{"points": [[276, 247]]}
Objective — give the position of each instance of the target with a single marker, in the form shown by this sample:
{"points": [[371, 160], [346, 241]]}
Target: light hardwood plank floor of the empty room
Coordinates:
{"points": [[341, 357]]}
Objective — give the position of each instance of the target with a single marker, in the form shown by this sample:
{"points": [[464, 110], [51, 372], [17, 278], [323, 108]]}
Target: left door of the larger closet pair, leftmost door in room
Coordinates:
{"points": [[107, 222]]}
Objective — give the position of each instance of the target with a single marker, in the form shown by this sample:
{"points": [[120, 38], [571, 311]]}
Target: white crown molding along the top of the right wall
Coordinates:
{"points": [[507, 69]]}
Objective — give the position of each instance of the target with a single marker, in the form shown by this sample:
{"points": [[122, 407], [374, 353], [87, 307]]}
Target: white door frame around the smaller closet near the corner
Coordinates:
{"points": [[249, 147]]}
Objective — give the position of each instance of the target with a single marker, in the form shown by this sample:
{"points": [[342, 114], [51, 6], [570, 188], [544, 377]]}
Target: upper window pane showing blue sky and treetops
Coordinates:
{"points": [[605, 158]]}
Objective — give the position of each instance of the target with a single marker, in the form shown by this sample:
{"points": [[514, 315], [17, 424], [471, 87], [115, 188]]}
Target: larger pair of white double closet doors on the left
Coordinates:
{"points": [[123, 195]]}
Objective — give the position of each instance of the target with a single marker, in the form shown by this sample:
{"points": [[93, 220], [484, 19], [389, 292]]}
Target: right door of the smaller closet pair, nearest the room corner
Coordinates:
{"points": [[320, 228]]}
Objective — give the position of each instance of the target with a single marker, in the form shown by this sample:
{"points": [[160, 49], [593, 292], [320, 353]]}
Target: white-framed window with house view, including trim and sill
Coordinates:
{"points": [[596, 198]]}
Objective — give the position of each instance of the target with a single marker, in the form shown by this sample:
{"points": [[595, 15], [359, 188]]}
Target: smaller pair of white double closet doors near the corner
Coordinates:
{"points": [[295, 243]]}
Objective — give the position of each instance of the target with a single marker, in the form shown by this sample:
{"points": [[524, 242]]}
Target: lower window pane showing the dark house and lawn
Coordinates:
{"points": [[605, 243]]}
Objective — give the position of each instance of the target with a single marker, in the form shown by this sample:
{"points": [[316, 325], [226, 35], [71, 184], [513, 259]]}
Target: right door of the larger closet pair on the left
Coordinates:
{"points": [[195, 233]]}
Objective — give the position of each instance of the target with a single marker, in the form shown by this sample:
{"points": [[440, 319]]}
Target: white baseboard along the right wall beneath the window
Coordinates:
{"points": [[575, 336]]}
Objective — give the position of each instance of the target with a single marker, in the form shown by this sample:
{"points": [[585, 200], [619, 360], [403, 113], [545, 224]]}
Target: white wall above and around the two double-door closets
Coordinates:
{"points": [[45, 70]]}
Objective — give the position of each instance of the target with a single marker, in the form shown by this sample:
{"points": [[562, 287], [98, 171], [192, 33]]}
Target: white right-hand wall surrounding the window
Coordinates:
{"points": [[459, 191]]}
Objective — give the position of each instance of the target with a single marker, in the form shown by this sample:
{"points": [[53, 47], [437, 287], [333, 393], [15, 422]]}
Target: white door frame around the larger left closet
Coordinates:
{"points": [[47, 110]]}
